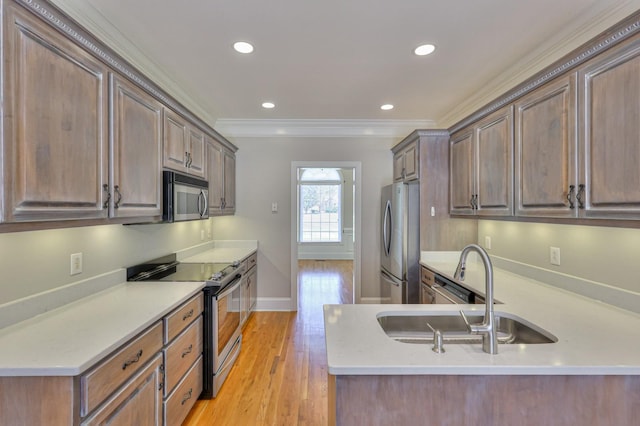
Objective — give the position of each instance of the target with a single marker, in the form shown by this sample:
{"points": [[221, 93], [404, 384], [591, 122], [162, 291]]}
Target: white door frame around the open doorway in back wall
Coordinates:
{"points": [[357, 257]]}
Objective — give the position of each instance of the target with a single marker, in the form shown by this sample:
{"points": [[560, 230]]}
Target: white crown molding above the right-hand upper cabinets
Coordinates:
{"points": [[549, 60]]}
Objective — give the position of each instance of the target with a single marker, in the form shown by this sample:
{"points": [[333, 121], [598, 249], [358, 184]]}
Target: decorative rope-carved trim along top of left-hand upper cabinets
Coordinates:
{"points": [[56, 18]]}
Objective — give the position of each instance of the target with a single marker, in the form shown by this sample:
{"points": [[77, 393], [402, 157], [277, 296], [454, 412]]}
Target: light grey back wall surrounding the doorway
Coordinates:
{"points": [[264, 176]]}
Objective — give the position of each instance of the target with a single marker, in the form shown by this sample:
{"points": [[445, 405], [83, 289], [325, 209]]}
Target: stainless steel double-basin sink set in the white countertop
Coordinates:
{"points": [[418, 328]]}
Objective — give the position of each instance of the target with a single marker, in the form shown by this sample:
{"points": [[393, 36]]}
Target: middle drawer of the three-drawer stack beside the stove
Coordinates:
{"points": [[182, 353]]}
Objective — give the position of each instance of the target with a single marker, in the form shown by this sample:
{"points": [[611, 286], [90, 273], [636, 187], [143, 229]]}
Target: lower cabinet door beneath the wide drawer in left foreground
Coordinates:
{"points": [[137, 402]]}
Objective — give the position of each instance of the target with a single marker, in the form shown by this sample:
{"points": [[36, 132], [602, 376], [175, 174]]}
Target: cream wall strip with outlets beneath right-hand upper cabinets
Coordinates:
{"points": [[600, 254]]}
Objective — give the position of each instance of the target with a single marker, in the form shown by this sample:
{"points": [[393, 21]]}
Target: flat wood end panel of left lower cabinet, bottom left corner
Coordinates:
{"points": [[53, 398]]}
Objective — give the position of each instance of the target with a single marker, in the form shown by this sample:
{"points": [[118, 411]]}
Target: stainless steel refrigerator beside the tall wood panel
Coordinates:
{"points": [[400, 255]]}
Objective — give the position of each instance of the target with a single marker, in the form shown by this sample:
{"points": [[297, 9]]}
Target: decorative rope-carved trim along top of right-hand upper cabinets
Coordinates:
{"points": [[608, 39]]}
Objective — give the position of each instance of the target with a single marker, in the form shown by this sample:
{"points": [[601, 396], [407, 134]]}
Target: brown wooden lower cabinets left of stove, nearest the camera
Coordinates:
{"points": [[138, 384]]}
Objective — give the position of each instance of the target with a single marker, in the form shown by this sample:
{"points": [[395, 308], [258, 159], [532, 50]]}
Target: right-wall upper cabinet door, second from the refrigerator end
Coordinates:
{"points": [[494, 164]]}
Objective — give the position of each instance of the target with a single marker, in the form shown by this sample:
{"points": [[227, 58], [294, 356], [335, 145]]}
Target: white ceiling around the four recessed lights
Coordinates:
{"points": [[342, 59]]}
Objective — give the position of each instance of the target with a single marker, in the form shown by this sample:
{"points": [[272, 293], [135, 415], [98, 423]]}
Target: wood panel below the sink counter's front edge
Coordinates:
{"points": [[484, 400]]}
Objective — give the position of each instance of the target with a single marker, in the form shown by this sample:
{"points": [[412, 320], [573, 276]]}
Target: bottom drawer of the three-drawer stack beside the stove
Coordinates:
{"points": [[180, 402]]}
